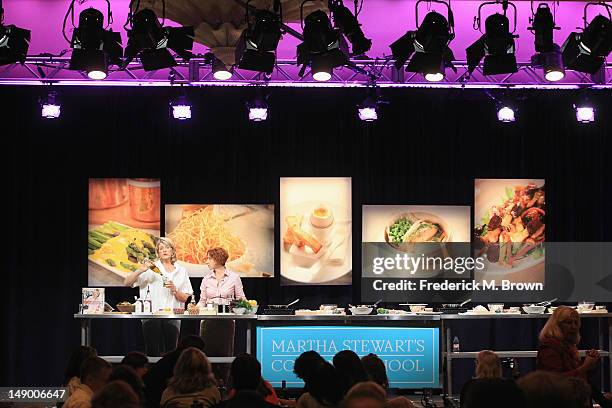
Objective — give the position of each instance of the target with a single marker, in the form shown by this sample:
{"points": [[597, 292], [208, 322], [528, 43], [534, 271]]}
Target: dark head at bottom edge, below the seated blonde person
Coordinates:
{"points": [[494, 392]]}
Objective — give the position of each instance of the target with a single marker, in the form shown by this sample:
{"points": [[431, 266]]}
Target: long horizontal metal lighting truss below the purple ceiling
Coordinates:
{"points": [[45, 70]]}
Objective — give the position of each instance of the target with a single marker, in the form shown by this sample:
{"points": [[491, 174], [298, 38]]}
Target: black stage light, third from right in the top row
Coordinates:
{"points": [[496, 45]]}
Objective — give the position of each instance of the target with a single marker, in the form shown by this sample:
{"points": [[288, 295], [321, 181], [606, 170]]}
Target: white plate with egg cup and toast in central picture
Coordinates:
{"points": [[316, 242]]}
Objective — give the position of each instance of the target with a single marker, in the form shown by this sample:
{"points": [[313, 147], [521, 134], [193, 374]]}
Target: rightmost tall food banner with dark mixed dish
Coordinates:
{"points": [[510, 228]]}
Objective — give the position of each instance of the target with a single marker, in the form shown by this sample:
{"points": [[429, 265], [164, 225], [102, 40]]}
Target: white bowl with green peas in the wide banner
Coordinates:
{"points": [[407, 230]]}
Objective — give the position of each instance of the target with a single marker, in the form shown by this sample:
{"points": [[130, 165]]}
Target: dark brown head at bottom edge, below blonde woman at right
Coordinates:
{"points": [[545, 389]]}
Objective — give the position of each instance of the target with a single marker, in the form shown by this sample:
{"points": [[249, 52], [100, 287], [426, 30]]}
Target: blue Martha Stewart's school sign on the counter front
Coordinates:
{"points": [[410, 354]]}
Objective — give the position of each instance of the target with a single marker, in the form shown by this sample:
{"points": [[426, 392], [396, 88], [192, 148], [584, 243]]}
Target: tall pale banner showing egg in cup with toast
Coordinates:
{"points": [[315, 236]]}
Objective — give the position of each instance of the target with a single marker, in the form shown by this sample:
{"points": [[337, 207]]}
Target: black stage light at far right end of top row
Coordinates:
{"points": [[587, 51]]}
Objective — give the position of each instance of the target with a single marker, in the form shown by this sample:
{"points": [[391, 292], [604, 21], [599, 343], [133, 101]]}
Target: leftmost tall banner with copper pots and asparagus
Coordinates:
{"points": [[124, 222]]}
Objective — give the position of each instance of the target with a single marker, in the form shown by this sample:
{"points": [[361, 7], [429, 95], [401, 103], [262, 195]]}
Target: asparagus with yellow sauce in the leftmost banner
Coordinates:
{"points": [[119, 248]]}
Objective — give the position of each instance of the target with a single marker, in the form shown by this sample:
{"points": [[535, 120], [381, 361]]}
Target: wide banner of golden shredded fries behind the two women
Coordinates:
{"points": [[245, 231]]}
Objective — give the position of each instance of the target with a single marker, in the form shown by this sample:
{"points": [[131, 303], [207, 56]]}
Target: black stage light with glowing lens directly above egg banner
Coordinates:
{"points": [[323, 48]]}
